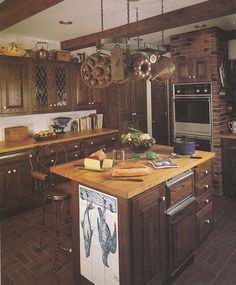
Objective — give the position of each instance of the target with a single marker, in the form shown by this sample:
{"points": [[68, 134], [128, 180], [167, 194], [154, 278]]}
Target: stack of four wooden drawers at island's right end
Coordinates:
{"points": [[203, 192]]}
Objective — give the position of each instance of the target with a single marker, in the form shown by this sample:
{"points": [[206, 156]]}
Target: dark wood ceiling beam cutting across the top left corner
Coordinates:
{"points": [[15, 11]]}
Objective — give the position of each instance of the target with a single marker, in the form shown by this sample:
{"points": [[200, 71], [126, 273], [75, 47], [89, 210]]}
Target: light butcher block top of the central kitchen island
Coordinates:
{"points": [[128, 189]]}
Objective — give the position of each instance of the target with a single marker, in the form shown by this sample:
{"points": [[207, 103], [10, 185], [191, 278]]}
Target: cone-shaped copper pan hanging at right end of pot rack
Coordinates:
{"points": [[162, 69]]}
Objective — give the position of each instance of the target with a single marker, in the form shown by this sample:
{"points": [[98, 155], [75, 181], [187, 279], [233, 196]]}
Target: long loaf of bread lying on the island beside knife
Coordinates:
{"points": [[130, 170]]}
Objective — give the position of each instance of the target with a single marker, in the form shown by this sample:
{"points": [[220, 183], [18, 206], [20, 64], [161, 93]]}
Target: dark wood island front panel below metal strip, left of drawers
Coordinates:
{"points": [[182, 234]]}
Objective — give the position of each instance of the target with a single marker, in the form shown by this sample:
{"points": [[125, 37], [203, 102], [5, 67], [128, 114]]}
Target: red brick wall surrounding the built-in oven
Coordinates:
{"points": [[208, 42]]}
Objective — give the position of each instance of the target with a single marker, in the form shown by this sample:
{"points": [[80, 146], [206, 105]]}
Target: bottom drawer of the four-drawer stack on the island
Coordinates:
{"points": [[205, 221]]}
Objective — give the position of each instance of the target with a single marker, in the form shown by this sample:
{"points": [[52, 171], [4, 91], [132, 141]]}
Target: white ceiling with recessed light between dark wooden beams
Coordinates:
{"points": [[86, 18]]}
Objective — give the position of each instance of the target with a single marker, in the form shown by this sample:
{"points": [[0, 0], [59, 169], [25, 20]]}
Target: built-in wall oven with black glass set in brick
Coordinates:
{"points": [[192, 105]]}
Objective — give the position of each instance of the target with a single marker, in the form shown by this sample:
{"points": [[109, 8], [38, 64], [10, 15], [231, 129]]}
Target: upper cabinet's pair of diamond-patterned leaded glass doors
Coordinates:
{"points": [[50, 86]]}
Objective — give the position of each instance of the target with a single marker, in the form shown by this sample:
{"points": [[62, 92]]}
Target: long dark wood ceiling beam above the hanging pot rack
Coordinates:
{"points": [[181, 17]]}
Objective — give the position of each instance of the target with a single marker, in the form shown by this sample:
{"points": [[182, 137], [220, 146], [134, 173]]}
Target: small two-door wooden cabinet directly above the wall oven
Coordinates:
{"points": [[193, 70]]}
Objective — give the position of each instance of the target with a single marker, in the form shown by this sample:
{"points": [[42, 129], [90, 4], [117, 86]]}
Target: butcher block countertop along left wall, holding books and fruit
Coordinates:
{"points": [[15, 146]]}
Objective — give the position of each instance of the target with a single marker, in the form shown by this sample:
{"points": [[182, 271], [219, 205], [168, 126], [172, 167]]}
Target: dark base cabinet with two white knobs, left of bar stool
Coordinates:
{"points": [[17, 189]]}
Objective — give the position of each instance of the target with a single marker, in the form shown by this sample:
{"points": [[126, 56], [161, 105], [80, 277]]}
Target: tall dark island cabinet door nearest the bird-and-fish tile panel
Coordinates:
{"points": [[148, 254]]}
